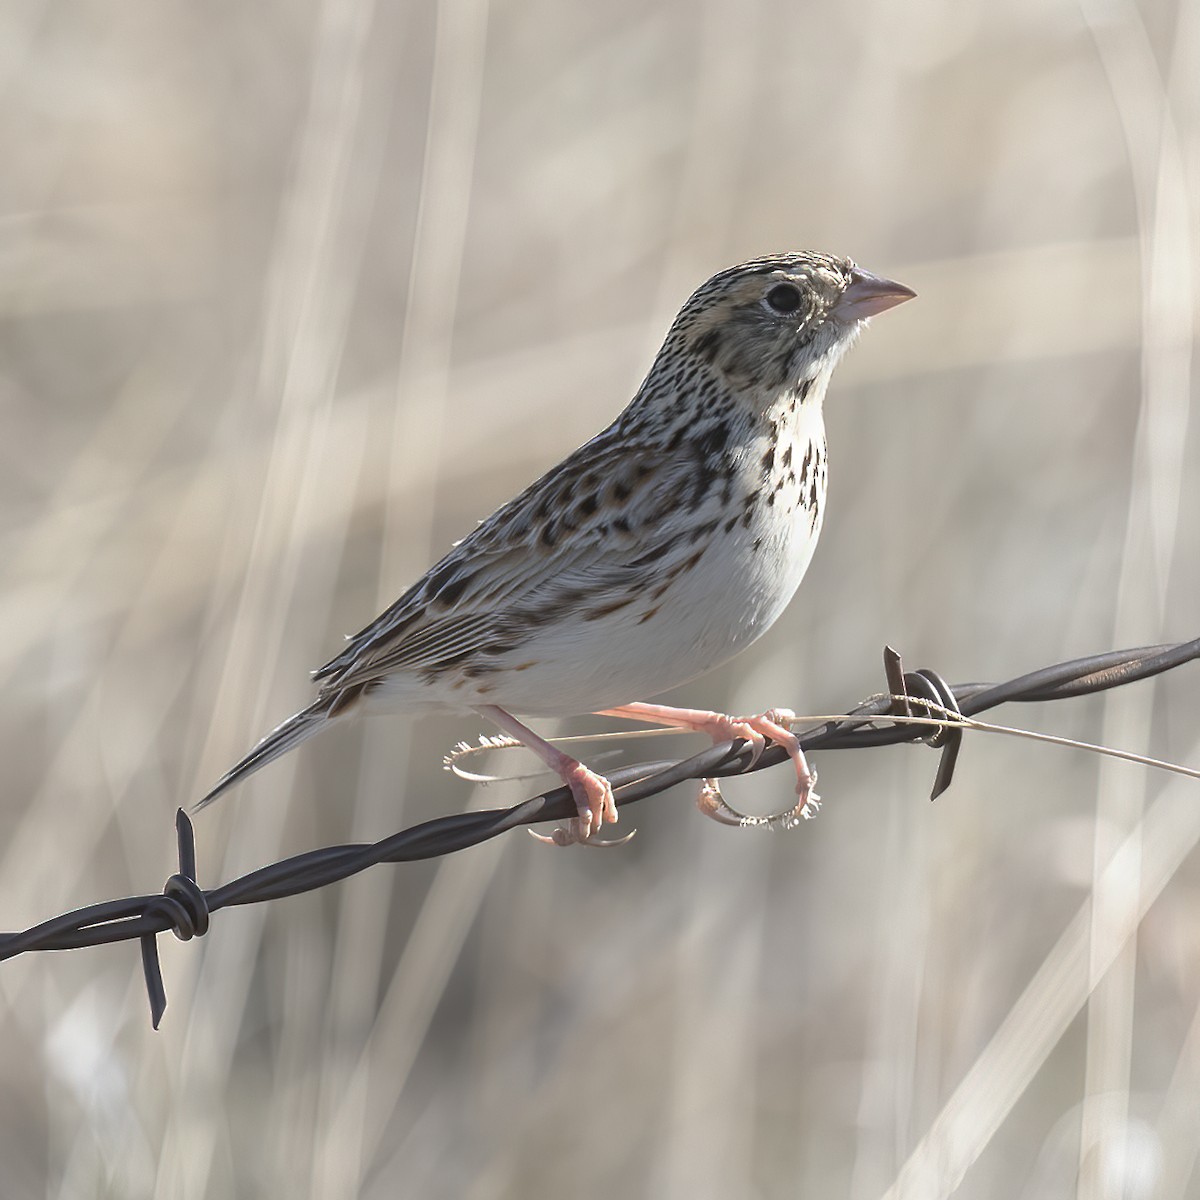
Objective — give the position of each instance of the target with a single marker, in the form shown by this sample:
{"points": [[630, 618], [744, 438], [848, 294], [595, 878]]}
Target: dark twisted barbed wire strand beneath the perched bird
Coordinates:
{"points": [[185, 908]]}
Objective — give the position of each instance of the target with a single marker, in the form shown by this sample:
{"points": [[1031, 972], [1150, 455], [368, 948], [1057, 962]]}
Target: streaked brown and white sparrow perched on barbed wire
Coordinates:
{"points": [[655, 553]]}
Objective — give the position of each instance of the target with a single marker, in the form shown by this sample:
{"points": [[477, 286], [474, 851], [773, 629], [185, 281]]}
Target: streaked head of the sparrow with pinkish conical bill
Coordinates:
{"points": [[776, 322]]}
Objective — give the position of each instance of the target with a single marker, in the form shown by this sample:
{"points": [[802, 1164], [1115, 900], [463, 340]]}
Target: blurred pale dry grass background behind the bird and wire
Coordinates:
{"points": [[293, 293]]}
